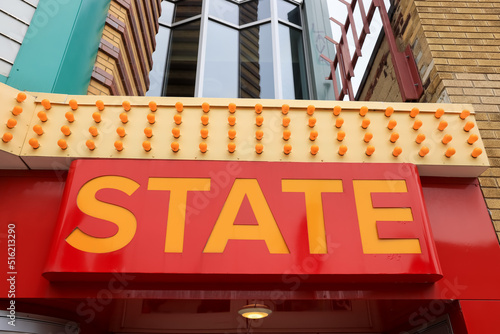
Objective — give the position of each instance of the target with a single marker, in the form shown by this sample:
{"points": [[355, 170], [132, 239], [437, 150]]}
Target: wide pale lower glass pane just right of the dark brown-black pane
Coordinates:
{"points": [[221, 62]]}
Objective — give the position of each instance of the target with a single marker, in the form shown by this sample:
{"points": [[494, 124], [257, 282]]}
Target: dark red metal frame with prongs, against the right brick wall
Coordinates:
{"points": [[409, 82]]}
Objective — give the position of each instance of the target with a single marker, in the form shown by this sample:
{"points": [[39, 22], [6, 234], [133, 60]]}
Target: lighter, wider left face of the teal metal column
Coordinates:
{"points": [[44, 46]]}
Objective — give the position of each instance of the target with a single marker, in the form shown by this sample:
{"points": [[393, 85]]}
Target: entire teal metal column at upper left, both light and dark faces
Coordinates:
{"points": [[59, 49]]}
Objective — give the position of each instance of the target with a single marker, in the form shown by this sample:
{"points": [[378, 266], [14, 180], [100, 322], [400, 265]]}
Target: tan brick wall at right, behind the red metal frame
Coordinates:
{"points": [[456, 45]]}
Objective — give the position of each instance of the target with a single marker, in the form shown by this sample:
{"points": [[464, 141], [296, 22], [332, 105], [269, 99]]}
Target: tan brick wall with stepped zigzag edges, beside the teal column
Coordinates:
{"points": [[124, 58]]}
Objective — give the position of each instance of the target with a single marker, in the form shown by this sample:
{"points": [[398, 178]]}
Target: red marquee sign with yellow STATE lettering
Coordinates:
{"points": [[219, 221]]}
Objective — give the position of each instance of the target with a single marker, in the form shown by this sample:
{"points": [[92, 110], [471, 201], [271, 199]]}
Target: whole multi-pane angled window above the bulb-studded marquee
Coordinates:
{"points": [[226, 48]]}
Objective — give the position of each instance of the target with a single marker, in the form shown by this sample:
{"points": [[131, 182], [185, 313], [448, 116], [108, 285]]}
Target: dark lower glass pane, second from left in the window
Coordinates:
{"points": [[183, 56]]}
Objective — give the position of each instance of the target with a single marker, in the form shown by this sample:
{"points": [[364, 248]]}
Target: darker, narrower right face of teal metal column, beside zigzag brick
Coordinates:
{"points": [[78, 63]]}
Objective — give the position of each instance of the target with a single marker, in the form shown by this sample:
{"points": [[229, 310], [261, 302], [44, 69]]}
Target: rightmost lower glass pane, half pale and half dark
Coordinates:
{"points": [[293, 73]]}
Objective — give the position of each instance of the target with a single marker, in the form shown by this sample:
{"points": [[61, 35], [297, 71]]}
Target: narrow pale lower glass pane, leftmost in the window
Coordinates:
{"points": [[157, 74]]}
